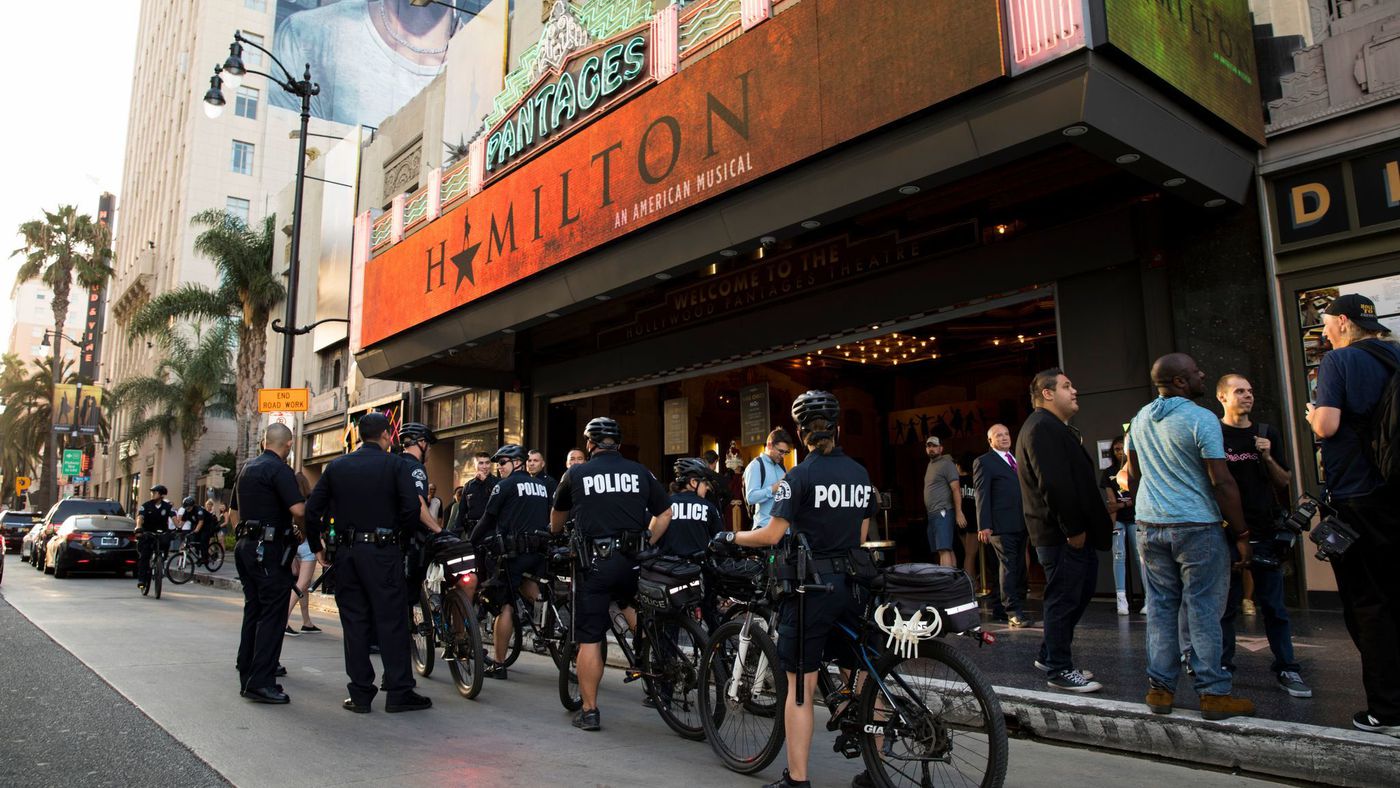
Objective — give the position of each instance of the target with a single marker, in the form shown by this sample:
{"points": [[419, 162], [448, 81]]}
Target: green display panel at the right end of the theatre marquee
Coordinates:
{"points": [[1205, 50]]}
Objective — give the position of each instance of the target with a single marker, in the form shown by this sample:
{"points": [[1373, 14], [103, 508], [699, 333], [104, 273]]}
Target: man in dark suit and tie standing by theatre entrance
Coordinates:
{"points": [[1002, 523]]}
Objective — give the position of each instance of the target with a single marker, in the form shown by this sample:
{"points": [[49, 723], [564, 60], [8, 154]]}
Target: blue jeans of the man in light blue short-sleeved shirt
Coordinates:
{"points": [[1188, 566]]}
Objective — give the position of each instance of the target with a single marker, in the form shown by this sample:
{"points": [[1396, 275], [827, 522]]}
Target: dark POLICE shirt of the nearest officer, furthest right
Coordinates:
{"points": [[827, 498]]}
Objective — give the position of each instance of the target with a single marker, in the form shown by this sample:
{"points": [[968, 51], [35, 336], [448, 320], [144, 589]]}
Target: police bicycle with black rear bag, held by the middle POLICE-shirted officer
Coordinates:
{"points": [[664, 653]]}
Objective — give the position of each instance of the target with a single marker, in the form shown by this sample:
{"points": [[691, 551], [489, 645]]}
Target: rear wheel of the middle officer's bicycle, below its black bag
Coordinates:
{"points": [[668, 654]]}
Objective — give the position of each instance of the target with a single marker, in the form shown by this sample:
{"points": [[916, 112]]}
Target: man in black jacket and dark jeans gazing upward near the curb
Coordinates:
{"points": [[1067, 521]]}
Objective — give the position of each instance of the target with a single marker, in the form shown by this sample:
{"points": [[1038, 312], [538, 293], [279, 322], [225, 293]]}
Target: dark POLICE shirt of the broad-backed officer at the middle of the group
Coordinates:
{"points": [[611, 495]]}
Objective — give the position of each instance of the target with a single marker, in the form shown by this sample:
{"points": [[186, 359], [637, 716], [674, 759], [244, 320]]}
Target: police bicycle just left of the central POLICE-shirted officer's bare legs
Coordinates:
{"points": [[548, 618]]}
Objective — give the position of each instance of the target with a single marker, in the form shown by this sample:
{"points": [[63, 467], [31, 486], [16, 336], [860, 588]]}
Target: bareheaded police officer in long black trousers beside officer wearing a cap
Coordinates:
{"points": [[265, 500]]}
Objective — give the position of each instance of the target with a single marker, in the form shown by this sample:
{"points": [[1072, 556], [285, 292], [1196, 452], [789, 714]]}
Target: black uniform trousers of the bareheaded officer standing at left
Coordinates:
{"points": [[267, 591]]}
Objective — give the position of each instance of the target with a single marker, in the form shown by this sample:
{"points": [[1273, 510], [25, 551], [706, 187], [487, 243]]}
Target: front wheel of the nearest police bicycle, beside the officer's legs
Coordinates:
{"points": [[743, 719]]}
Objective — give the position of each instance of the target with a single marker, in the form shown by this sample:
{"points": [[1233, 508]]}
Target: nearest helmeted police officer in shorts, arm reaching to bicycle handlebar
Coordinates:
{"points": [[827, 499]]}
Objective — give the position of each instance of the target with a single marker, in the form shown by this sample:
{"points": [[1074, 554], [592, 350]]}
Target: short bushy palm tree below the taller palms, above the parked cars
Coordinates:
{"points": [[192, 383]]}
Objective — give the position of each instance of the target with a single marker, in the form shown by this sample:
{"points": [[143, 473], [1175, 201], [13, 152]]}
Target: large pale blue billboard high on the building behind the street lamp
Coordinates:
{"points": [[369, 58]]}
